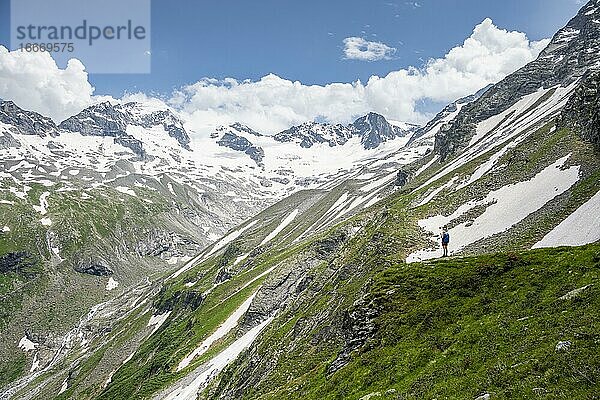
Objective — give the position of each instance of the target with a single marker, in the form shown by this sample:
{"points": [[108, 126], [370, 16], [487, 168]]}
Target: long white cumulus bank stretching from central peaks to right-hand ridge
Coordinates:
{"points": [[273, 103]]}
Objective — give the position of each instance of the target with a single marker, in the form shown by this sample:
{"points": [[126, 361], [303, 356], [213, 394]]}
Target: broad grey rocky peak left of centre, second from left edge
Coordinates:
{"points": [[106, 119]]}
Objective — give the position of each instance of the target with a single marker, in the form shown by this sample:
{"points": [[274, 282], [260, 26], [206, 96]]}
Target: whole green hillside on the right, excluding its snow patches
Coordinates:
{"points": [[357, 320]]}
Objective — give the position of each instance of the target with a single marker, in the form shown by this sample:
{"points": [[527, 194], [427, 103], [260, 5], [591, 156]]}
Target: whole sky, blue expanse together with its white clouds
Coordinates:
{"points": [[273, 64]]}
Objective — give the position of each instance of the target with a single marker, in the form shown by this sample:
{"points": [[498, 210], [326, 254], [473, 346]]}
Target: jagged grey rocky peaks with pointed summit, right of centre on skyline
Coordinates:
{"points": [[373, 129]]}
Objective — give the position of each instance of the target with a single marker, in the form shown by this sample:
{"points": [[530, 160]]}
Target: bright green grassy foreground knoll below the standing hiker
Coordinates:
{"points": [[457, 328]]}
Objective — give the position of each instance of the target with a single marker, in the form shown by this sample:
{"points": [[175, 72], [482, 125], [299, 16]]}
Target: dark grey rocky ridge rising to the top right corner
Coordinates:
{"points": [[571, 53]]}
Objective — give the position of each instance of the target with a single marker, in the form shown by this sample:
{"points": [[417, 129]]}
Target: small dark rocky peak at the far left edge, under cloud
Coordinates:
{"points": [[25, 122]]}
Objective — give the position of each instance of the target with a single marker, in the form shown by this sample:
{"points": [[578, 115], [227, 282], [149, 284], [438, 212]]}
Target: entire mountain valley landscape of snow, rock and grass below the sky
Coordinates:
{"points": [[141, 261]]}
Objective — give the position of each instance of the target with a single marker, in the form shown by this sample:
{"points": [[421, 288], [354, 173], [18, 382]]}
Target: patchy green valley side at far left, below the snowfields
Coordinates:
{"points": [[46, 296]]}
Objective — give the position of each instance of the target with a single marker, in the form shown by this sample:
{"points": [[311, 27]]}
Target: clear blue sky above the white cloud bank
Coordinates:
{"points": [[302, 40]]}
